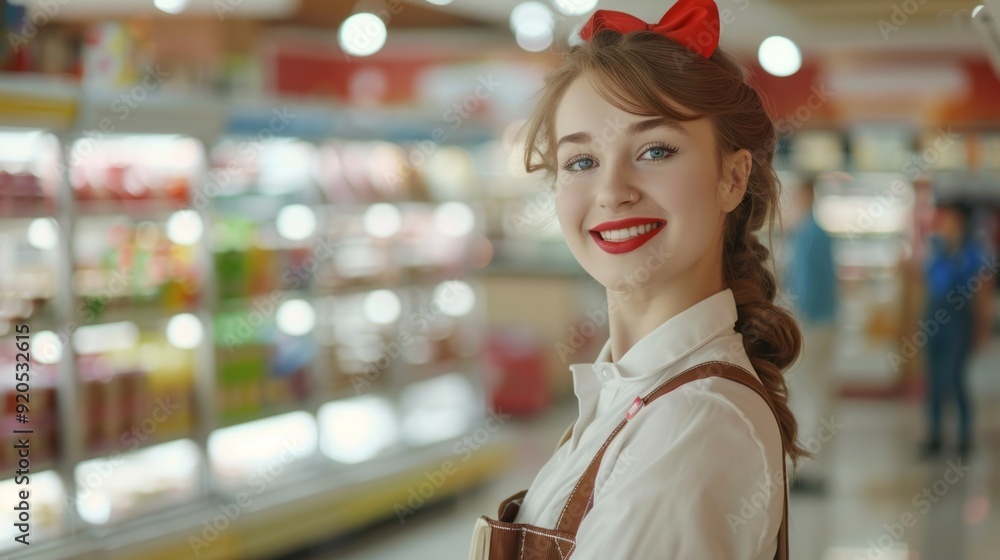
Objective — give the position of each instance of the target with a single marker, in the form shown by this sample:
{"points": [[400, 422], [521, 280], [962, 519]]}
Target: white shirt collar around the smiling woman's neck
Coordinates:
{"points": [[677, 337]]}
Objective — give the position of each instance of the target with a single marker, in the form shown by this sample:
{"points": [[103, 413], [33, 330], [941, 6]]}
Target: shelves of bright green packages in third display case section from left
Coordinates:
{"points": [[263, 226]]}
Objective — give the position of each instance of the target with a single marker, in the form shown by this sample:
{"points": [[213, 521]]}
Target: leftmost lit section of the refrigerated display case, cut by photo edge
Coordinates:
{"points": [[31, 305]]}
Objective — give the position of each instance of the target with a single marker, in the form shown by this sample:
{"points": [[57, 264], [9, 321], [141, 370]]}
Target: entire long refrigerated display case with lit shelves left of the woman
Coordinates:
{"points": [[217, 305]]}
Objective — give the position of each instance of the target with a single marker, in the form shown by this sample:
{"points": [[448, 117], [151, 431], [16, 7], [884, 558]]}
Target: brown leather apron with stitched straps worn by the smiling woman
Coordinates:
{"points": [[502, 539]]}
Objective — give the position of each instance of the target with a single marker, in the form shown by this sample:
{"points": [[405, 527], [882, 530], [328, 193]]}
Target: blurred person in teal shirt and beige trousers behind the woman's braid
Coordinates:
{"points": [[811, 281]]}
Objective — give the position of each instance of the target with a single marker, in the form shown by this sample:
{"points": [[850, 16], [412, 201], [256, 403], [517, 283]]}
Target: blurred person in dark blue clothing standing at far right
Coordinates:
{"points": [[960, 278]]}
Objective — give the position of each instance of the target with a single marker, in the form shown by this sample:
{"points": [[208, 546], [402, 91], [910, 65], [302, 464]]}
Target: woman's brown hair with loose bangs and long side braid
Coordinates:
{"points": [[637, 72]]}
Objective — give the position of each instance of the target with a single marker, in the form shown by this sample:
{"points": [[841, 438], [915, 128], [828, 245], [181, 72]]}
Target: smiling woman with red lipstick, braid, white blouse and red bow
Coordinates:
{"points": [[661, 158]]}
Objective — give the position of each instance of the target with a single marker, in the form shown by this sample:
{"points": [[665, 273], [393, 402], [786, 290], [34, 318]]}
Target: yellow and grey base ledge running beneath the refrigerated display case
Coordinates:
{"points": [[283, 518]]}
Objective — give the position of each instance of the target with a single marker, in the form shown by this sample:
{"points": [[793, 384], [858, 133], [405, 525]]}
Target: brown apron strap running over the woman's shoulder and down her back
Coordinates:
{"points": [[581, 499]]}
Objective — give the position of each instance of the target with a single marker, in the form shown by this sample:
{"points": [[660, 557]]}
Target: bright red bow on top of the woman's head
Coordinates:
{"points": [[692, 23]]}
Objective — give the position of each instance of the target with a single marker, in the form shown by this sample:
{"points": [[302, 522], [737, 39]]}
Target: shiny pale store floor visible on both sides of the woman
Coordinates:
{"points": [[882, 503]]}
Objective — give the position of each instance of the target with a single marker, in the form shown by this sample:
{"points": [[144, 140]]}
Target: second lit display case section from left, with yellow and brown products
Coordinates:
{"points": [[139, 274]]}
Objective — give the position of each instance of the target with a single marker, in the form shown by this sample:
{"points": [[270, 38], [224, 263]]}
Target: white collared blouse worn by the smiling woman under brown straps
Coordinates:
{"points": [[697, 474]]}
